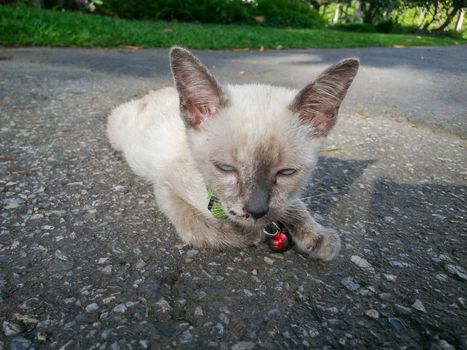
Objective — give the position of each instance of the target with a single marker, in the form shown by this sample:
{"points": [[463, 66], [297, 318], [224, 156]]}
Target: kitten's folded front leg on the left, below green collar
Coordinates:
{"points": [[195, 229]]}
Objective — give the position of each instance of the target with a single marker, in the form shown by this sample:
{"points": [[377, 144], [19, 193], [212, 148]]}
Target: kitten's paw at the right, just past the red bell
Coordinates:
{"points": [[324, 245]]}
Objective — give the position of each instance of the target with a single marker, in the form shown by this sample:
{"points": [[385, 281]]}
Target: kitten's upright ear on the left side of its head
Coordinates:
{"points": [[200, 94]]}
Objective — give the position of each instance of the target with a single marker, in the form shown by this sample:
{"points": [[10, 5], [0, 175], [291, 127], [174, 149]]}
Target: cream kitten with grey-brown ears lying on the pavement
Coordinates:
{"points": [[253, 146]]}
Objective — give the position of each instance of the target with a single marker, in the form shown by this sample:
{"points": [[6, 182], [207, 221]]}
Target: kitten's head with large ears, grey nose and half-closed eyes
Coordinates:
{"points": [[255, 145]]}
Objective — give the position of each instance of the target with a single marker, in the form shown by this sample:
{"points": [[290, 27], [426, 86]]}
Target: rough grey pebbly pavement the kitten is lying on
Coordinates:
{"points": [[88, 262]]}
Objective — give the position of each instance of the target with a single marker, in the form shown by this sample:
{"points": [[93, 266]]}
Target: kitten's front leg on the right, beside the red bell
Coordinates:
{"points": [[310, 237]]}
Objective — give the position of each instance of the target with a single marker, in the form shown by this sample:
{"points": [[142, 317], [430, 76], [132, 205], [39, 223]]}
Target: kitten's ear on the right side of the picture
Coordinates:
{"points": [[318, 103]]}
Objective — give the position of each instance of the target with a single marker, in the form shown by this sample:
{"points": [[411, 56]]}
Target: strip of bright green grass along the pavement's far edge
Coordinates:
{"points": [[25, 26]]}
